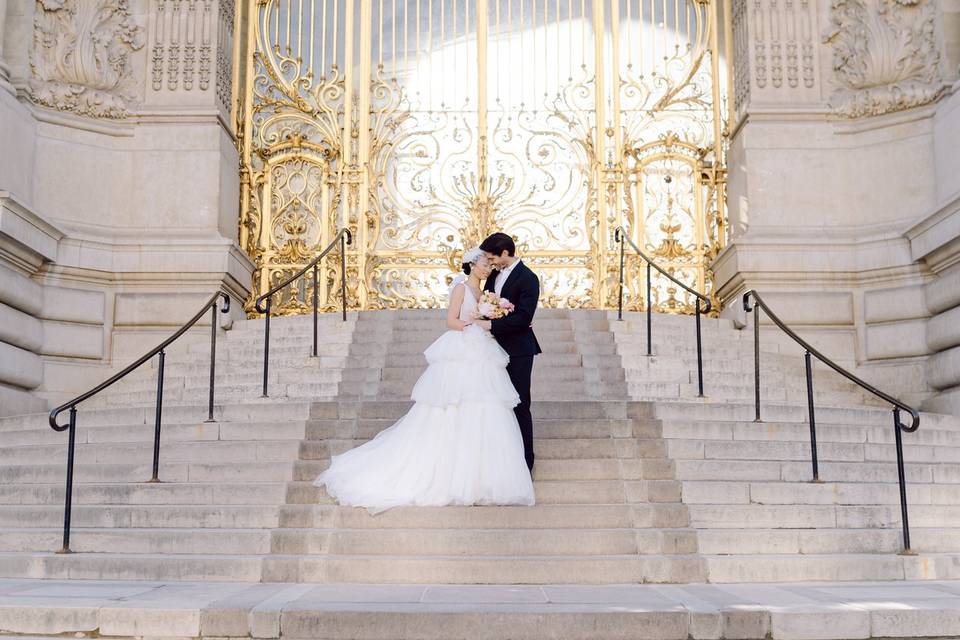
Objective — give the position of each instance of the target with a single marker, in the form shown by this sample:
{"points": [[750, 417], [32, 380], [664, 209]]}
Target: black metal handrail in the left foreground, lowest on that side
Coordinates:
{"points": [[160, 350]]}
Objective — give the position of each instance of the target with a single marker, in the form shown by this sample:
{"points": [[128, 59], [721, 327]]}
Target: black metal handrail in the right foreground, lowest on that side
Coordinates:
{"points": [[810, 351]]}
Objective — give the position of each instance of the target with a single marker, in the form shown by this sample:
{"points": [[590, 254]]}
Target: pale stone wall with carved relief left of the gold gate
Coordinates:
{"points": [[125, 157]]}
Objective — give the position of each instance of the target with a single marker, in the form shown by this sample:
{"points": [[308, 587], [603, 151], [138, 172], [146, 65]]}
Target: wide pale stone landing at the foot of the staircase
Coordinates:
{"points": [[815, 611]]}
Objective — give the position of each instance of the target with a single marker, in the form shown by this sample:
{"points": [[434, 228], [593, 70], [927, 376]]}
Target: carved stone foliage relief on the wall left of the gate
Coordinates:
{"points": [[81, 56]]}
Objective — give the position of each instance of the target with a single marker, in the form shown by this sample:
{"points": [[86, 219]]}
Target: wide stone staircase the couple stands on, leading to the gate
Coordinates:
{"points": [[637, 479]]}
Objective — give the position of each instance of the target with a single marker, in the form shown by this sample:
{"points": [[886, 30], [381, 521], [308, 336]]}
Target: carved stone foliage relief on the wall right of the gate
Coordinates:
{"points": [[885, 55]]}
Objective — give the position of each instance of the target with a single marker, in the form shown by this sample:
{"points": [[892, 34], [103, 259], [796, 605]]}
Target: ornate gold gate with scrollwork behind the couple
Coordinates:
{"points": [[423, 125]]}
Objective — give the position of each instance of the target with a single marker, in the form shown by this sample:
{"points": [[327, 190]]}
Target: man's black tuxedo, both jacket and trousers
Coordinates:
{"points": [[516, 336]]}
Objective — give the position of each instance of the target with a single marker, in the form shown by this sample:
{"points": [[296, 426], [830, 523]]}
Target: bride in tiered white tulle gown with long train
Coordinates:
{"points": [[460, 443]]}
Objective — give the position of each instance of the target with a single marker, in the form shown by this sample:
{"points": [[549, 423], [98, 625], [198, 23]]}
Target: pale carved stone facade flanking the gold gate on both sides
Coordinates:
{"points": [[119, 183]]}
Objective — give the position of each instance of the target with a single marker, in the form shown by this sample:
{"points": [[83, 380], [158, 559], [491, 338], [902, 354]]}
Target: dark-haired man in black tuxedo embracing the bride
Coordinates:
{"points": [[514, 281]]}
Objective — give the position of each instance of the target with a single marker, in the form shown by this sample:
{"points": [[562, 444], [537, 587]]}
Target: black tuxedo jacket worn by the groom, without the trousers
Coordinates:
{"points": [[513, 331]]}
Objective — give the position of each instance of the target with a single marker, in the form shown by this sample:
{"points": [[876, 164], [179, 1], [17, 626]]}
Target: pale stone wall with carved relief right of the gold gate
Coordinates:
{"points": [[842, 147]]}
